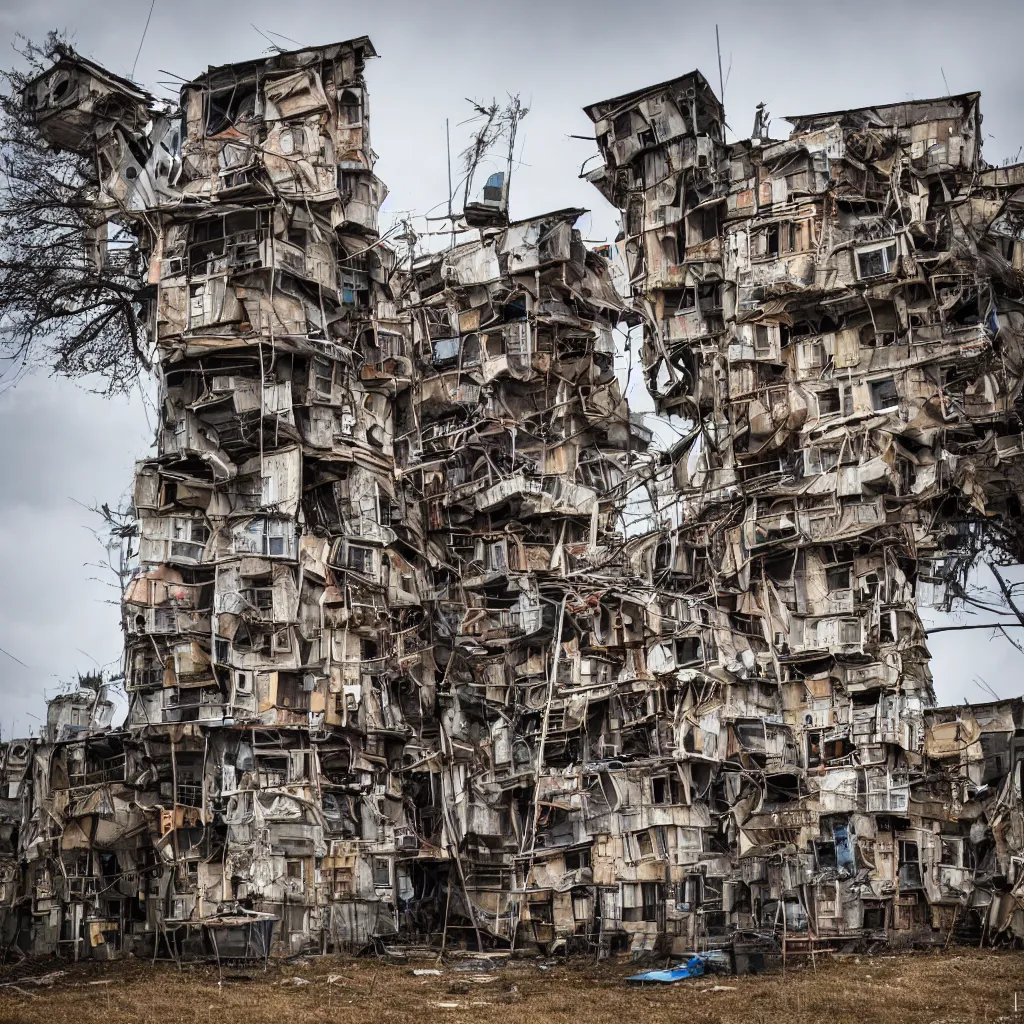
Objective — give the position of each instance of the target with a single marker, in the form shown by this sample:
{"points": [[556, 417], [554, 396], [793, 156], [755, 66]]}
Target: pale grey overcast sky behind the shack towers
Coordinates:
{"points": [[64, 449]]}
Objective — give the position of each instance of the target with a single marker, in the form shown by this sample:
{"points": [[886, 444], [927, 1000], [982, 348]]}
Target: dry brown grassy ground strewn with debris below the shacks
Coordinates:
{"points": [[956, 988]]}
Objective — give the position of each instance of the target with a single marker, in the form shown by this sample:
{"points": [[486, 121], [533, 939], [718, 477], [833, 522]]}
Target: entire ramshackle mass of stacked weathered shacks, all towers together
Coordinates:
{"points": [[399, 670]]}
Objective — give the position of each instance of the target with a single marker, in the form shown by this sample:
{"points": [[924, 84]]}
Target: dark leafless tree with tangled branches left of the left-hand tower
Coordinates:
{"points": [[66, 305]]}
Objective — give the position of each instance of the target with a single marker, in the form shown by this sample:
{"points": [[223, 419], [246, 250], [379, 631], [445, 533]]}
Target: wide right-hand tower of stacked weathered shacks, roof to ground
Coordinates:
{"points": [[838, 319]]}
